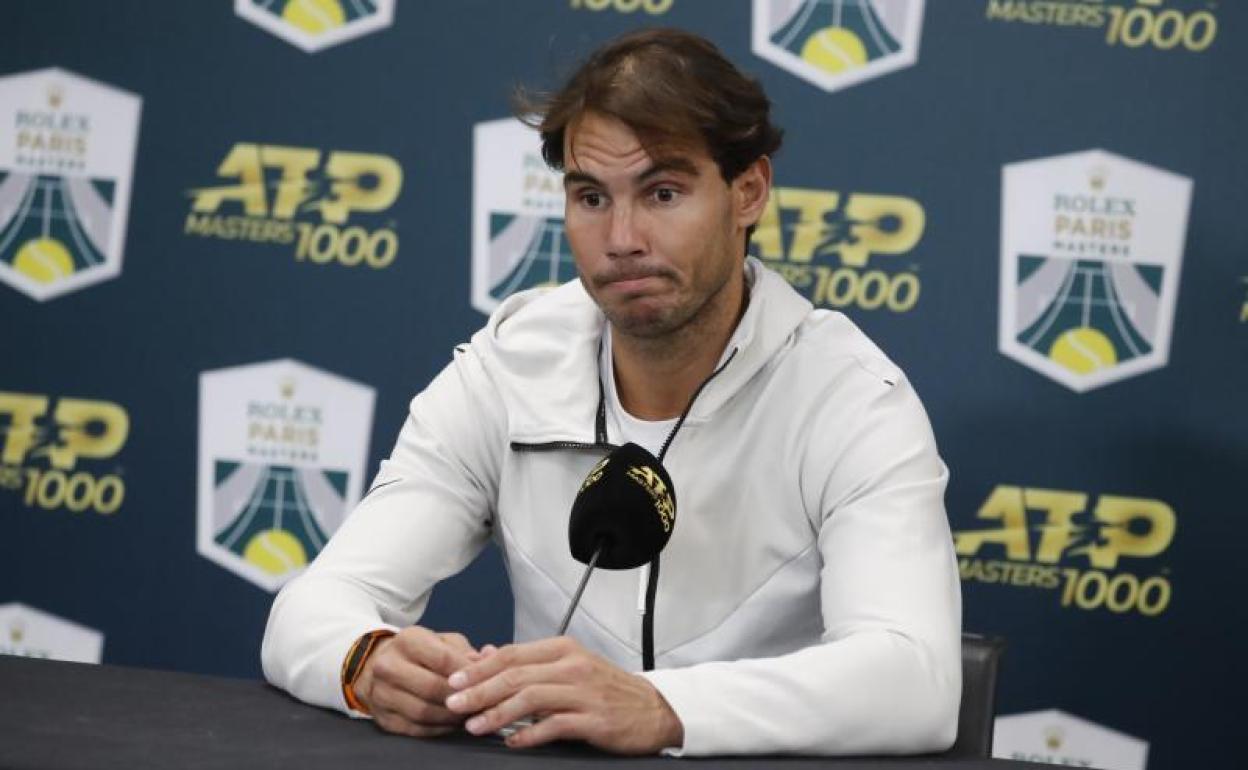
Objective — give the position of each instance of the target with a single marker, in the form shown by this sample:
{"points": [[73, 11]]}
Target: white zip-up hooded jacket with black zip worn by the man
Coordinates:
{"points": [[808, 601]]}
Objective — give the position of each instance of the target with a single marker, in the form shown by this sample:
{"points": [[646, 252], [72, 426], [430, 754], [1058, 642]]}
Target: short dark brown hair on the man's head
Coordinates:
{"points": [[672, 88]]}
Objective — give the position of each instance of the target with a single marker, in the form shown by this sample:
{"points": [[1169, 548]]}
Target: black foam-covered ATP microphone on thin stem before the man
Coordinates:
{"points": [[622, 517]]}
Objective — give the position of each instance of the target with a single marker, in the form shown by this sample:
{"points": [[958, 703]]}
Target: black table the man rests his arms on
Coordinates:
{"points": [[68, 716]]}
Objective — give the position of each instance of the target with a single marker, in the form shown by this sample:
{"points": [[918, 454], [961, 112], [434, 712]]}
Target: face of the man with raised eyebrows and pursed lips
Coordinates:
{"points": [[657, 240]]}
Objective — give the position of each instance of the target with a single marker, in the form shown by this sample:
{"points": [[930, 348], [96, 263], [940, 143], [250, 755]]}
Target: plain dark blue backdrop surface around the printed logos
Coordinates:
{"points": [[985, 93]]}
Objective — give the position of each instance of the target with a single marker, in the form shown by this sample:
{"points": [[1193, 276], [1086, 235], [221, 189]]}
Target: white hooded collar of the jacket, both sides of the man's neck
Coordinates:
{"points": [[541, 350]]}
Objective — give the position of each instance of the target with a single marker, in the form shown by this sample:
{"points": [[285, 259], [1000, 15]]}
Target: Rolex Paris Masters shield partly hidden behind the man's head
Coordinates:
{"points": [[519, 239]]}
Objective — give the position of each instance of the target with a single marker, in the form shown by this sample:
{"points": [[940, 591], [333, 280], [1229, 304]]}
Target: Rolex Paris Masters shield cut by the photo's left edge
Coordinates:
{"points": [[66, 173]]}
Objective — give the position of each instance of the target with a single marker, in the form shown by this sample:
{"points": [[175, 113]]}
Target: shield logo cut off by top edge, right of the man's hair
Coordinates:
{"points": [[836, 44]]}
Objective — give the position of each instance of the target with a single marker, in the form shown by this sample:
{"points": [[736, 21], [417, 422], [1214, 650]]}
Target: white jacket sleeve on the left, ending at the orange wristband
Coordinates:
{"points": [[426, 517]]}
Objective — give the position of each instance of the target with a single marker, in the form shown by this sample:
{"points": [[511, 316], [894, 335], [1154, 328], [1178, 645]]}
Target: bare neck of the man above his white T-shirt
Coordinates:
{"points": [[657, 378]]}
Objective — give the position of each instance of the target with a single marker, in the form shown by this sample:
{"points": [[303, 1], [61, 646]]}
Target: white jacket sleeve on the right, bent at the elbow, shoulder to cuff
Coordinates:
{"points": [[887, 677]]}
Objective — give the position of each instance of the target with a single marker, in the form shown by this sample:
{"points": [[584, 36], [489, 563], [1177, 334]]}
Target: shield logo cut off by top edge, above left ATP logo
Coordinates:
{"points": [[314, 26]]}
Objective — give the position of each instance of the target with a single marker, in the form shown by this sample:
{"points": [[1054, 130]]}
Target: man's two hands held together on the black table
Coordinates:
{"points": [[421, 683]]}
